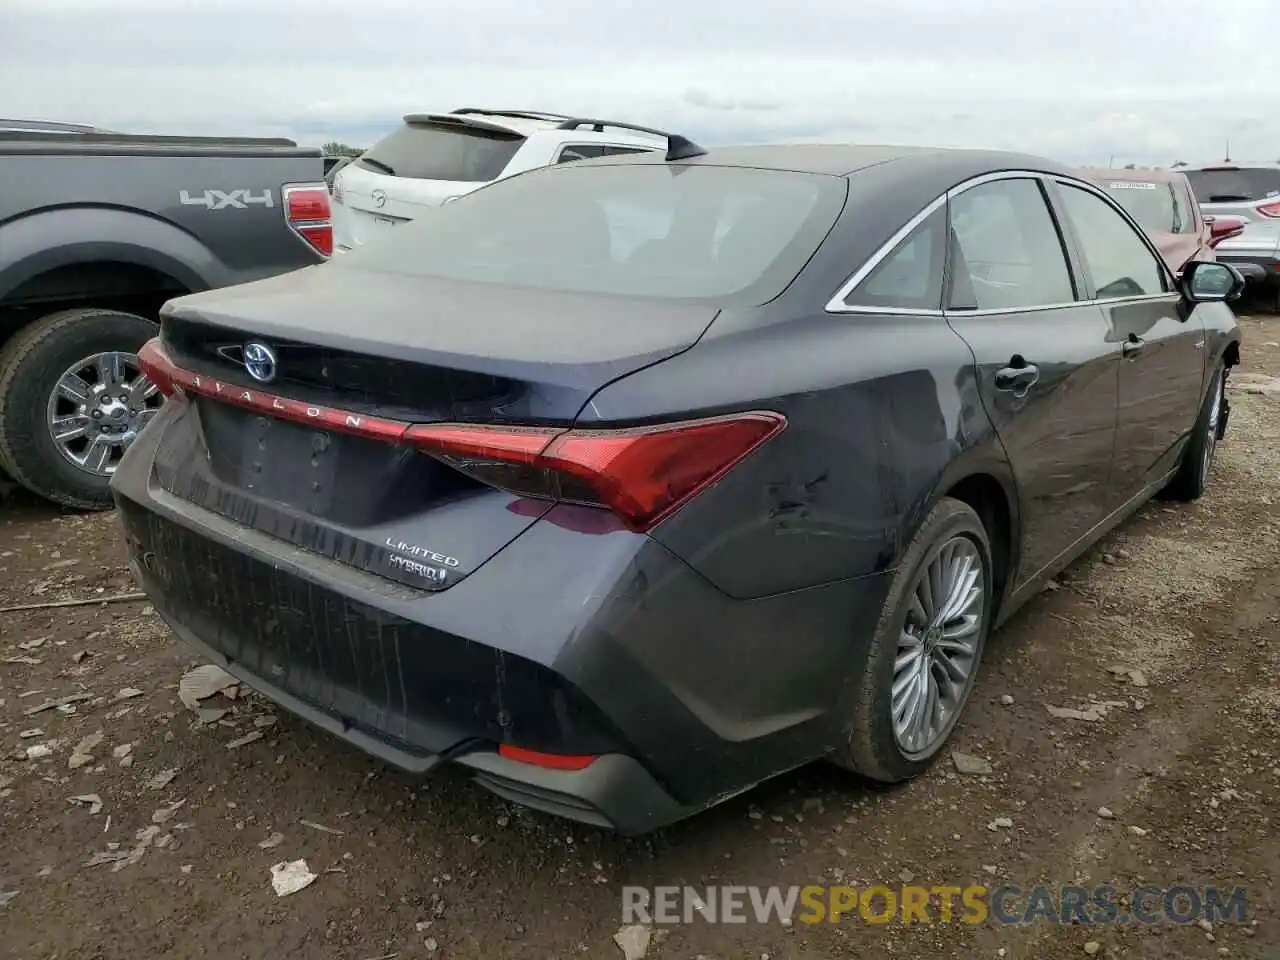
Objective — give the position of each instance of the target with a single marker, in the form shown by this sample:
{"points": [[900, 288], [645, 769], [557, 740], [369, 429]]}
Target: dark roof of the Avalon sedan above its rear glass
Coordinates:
{"points": [[848, 159]]}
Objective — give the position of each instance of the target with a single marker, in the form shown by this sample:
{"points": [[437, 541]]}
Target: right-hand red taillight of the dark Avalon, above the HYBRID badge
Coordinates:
{"points": [[642, 474]]}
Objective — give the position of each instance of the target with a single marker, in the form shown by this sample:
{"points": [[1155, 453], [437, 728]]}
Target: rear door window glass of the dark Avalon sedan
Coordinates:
{"points": [[1007, 252]]}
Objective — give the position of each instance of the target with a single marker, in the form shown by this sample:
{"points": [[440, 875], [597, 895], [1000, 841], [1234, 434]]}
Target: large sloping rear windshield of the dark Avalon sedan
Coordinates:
{"points": [[685, 232]]}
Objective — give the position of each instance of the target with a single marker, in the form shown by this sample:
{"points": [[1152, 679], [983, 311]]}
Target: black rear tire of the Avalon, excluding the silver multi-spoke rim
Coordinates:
{"points": [[870, 747]]}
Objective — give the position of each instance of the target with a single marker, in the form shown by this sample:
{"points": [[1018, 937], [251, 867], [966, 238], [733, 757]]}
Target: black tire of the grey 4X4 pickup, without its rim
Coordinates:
{"points": [[30, 367]]}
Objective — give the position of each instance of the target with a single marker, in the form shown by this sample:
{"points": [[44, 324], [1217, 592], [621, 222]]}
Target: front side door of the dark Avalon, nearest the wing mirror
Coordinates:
{"points": [[1162, 341]]}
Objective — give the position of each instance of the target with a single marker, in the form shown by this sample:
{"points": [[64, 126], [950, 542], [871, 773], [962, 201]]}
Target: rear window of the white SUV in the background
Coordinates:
{"points": [[429, 152]]}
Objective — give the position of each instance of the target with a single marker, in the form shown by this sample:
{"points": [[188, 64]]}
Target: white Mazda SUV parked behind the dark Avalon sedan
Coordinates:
{"points": [[436, 158]]}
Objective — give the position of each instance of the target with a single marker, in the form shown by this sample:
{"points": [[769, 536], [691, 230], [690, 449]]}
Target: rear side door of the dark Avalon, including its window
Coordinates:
{"points": [[1046, 363]]}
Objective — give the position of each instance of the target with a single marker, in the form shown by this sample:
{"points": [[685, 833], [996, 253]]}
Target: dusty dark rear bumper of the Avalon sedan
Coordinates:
{"points": [[564, 643]]}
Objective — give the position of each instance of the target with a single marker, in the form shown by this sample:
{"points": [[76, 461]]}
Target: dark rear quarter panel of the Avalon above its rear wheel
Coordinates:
{"points": [[883, 414]]}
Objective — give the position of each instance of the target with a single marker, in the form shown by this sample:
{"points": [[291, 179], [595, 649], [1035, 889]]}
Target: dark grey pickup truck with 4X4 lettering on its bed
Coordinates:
{"points": [[98, 230]]}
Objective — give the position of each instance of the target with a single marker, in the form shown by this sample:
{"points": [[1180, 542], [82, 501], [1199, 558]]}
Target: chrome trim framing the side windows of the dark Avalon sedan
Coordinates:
{"points": [[836, 305]]}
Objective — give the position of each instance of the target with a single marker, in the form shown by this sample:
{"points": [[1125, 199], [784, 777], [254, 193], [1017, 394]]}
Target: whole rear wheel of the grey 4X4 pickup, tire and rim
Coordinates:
{"points": [[72, 400]]}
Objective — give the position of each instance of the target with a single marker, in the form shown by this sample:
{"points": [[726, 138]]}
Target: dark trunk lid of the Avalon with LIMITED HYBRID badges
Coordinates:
{"points": [[313, 456]]}
